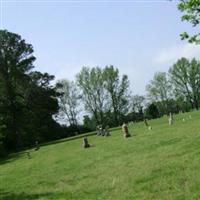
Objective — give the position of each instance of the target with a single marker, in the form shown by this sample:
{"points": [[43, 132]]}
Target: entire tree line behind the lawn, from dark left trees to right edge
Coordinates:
{"points": [[32, 109]]}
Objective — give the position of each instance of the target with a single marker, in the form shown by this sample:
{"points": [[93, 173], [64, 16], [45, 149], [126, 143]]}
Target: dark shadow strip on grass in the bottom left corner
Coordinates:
{"points": [[24, 196]]}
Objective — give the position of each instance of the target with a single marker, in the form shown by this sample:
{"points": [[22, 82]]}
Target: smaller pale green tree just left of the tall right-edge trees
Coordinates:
{"points": [[159, 90]]}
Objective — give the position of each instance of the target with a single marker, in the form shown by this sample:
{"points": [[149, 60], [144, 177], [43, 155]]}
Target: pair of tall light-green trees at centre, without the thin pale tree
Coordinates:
{"points": [[104, 93]]}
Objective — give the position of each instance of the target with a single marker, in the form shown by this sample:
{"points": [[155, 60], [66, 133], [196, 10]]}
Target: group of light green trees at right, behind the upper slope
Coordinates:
{"points": [[177, 90]]}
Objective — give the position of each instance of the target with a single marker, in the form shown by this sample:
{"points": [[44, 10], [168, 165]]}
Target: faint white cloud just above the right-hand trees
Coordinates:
{"points": [[171, 54]]}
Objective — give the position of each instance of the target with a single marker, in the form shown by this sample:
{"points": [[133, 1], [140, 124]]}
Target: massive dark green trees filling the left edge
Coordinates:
{"points": [[27, 100]]}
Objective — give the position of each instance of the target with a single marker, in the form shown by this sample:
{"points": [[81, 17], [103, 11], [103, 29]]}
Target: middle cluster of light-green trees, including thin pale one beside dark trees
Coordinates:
{"points": [[102, 93]]}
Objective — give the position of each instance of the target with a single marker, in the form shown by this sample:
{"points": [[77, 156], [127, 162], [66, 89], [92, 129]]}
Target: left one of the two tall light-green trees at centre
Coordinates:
{"points": [[91, 82]]}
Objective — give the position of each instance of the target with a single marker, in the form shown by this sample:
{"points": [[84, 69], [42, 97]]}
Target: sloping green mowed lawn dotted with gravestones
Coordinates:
{"points": [[163, 163]]}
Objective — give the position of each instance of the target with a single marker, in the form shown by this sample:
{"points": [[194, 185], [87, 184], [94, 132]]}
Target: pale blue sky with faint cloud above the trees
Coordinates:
{"points": [[139, 37]]}
